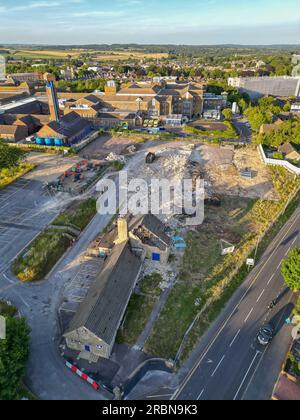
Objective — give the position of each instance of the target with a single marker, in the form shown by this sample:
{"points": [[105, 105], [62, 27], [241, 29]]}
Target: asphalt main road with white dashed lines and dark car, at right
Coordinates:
{"points": [[229, 364]]}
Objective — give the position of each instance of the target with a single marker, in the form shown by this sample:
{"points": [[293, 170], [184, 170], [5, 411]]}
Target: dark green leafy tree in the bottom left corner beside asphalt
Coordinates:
{"points": [[14, 351]]}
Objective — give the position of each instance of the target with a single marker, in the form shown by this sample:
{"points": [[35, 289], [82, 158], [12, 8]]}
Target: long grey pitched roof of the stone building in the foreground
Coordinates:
{"points": [[104, 306]]}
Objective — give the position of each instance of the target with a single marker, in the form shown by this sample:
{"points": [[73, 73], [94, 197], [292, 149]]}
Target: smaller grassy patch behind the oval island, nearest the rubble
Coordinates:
{"points": [[78, 215]]}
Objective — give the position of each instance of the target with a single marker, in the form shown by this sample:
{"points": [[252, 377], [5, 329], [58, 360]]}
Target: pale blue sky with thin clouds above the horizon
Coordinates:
{"points": [[194, 22]]}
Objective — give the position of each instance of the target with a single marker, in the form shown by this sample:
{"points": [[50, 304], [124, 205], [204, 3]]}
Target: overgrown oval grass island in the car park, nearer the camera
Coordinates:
{"points": [[42, 255]]}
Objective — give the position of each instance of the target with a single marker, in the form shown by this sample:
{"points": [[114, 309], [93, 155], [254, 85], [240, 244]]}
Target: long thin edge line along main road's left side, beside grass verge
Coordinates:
{"points": [[281, 237]]}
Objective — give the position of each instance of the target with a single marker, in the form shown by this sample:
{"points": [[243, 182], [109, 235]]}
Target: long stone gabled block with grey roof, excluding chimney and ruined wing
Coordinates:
{"points": [[93, 329]]}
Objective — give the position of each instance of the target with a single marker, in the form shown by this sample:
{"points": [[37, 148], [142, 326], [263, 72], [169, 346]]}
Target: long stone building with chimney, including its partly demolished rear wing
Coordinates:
{"points": [[94, 327]]}
